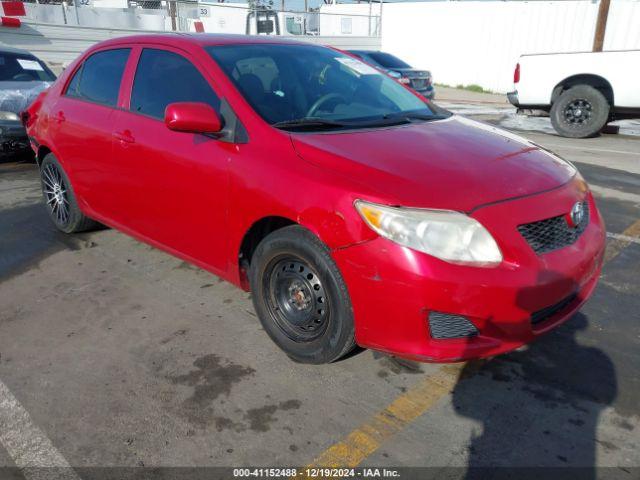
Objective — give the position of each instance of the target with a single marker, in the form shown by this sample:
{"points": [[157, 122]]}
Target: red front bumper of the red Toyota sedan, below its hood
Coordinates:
{"points": [[394, 288]]}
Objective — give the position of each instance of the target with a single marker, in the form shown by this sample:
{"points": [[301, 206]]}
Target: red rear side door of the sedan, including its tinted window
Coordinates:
{"points": [[81, 123]]}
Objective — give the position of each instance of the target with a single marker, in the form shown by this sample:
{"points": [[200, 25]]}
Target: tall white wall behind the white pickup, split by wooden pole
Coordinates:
{"points": [[472, 42]]}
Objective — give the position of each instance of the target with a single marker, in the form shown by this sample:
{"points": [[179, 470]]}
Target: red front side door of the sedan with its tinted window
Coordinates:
{"points": [[173, 185]]}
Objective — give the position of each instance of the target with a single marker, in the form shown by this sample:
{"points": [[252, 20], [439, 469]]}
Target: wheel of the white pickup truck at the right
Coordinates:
{"points": [[580, 112]]}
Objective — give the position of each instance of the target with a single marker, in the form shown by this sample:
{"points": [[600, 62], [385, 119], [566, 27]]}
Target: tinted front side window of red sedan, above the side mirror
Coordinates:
{"points": [[164, 77]]}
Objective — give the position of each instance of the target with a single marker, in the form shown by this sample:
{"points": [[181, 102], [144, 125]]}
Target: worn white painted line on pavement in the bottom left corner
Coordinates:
{"points": [[29, 448]]}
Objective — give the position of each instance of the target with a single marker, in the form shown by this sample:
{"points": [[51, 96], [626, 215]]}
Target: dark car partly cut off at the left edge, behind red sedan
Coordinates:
{"points": [[22, 78]]}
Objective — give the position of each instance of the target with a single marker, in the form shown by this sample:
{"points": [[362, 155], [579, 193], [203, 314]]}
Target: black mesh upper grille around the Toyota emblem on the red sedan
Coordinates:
{"points": [[553, 233]]}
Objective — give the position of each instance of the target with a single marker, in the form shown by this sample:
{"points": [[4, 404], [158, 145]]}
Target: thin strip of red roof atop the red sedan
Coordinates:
{"points": [[202, 39]]}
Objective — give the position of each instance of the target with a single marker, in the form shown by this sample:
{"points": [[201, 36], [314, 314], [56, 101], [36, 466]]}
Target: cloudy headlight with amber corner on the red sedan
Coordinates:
{"points": [[450, 236]]}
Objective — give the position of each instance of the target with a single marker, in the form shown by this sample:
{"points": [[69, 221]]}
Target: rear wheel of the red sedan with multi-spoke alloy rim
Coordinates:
{"points": [[60, 200]]}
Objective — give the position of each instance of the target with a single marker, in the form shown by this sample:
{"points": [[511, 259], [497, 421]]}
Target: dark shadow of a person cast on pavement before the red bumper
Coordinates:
{"points": [[538, 408]]}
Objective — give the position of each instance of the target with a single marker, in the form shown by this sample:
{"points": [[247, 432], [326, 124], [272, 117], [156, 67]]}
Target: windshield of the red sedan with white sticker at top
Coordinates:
{"points": [[286, 84]]}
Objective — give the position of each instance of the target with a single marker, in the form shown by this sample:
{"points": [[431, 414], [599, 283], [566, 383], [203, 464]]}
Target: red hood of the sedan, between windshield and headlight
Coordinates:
{"points": [[457, 163]]}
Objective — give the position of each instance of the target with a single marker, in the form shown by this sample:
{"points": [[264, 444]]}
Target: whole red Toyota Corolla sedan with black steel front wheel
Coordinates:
{"points": [[353, 211]]}
